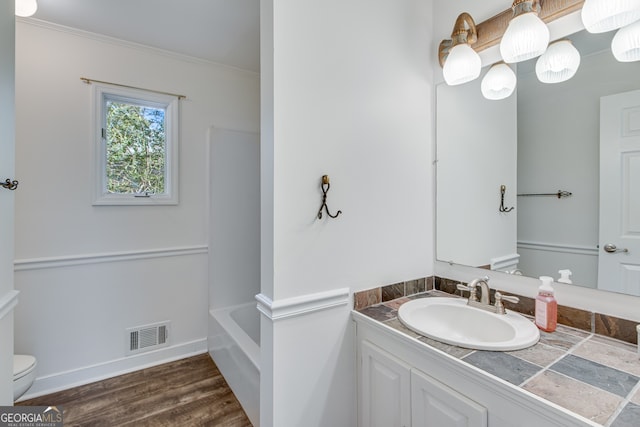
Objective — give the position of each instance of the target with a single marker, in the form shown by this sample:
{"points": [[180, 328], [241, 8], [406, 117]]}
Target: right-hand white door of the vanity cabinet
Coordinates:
{"points": [[433, 404]]}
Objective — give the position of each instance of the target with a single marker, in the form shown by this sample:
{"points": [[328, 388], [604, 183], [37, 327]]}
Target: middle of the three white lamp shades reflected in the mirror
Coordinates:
{"points": [[559, 63]]}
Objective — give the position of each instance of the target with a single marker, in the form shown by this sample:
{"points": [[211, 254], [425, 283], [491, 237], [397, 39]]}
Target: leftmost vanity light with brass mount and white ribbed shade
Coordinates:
{"points": [[460, 63]]}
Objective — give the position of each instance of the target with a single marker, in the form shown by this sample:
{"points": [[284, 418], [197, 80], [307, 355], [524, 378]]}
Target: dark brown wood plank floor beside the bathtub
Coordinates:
{"points": [[185, 393]]}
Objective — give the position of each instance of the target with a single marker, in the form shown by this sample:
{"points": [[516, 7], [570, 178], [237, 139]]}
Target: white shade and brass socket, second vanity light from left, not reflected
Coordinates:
{"points": [[526, 36]]}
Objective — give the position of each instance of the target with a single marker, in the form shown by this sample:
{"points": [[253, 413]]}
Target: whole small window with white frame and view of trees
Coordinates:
{"points": [[137, 146]]}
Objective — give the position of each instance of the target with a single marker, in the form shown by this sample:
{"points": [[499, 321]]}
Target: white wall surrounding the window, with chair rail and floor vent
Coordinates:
{"points": [[87, 272]]}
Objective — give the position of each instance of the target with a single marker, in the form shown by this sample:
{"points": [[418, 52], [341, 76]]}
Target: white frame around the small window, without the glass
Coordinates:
{"points": [[104, 91]]}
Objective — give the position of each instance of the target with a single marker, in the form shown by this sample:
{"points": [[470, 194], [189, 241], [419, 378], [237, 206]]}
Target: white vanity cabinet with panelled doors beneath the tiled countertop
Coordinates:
{"points": [[404, 382]]}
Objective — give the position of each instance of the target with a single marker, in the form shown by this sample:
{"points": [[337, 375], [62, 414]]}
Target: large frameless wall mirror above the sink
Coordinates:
{"points": [[519, 152]]}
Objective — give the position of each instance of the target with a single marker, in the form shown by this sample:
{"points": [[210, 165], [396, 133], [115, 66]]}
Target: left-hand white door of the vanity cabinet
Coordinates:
{"points": [[384, 399]]}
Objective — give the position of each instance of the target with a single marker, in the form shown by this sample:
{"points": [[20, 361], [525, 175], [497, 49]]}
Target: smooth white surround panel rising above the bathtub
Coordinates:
{"points": [[234, 217]]}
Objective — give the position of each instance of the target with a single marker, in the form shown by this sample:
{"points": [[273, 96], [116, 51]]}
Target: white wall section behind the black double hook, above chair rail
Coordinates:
{"points": [[352, 100]]}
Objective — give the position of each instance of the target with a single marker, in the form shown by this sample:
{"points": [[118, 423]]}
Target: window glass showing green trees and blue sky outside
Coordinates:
{"points": [[136, 148]]}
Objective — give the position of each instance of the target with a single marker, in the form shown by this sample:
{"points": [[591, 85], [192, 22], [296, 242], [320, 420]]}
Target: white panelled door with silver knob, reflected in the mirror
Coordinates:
{"points": [[619, 258]]}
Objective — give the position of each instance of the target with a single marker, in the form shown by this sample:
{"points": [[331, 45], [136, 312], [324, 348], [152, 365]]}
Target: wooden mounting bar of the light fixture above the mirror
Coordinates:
{"points": [[491, 31]]}
